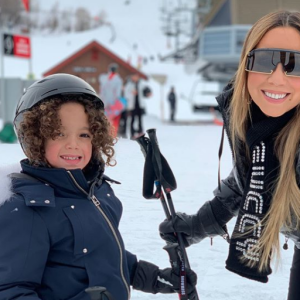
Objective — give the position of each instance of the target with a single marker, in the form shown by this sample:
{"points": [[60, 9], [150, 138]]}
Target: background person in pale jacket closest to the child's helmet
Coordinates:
{"points": [[110, 91]]}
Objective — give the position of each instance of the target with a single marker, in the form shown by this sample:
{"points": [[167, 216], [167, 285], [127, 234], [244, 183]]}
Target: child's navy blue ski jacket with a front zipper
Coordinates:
{"points": [[59, 235]]}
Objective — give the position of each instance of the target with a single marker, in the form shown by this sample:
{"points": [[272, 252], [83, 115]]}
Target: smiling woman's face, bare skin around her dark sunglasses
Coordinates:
{"points": [[276, 93]]}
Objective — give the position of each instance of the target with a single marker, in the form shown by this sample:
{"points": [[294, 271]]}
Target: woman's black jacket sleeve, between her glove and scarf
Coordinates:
{"points": [[222, 208]]}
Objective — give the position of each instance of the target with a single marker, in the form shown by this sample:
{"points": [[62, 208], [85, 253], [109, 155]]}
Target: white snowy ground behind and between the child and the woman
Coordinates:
{"points": [[192, 152]]}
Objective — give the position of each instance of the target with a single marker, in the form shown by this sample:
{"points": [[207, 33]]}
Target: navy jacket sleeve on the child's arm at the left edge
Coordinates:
{"points": [[24, 249]]}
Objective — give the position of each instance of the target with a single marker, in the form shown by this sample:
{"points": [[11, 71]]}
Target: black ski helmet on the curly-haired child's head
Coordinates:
{"points": [[53, 85]]}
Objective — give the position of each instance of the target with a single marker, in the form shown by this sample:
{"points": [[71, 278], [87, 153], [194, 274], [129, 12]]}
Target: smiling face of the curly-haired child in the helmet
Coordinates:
{"points": [[72, 149]]}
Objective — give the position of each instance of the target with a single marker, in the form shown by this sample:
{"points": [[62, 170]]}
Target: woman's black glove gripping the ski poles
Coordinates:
{"points": [[194, 228]]}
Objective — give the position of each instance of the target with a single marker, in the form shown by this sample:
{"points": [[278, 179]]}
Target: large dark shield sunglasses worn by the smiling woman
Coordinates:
{"points": [[265, 60]]}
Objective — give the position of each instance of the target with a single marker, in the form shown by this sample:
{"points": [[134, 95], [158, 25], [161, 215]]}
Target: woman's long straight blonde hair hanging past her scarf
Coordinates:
{"points": [[286, 198]]}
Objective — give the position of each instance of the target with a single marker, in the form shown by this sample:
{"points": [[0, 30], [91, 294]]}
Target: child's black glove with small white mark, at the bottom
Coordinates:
{"points": [[150, 279]]}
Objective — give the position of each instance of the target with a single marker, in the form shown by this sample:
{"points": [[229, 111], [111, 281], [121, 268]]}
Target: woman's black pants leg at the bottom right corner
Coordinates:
{"points": [[294, 286]]}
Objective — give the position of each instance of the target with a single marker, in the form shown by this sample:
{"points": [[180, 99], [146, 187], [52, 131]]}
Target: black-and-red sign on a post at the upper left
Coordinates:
{"points": [[17, 45]]}
